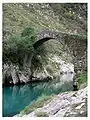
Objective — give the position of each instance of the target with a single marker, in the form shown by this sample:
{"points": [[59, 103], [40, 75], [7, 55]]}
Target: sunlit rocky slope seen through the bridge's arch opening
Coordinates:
{"points": [[52, 59]]}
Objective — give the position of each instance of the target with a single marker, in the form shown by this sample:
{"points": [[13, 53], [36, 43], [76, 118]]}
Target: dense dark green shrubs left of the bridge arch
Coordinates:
{"points": [[17, 47]]}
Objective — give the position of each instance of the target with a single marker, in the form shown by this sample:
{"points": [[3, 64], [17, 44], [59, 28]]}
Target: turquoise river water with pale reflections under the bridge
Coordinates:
{"points": [[15, 98]]}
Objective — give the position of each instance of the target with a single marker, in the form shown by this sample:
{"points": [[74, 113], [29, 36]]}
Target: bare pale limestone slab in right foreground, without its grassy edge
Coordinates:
{"points": [[68, 104]]}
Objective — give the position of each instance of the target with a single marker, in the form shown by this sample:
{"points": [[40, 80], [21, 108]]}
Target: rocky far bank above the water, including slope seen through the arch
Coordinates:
{"points": [[47, 63]]}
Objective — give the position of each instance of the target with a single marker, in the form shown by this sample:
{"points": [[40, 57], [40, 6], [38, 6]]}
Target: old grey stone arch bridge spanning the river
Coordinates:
{"points": [[77, 45]]}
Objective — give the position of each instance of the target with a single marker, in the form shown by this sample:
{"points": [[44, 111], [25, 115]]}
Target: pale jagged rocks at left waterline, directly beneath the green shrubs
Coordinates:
{"points": [[13, 75]]}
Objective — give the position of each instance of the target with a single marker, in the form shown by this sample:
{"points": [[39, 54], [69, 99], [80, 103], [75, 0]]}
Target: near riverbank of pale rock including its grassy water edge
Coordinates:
{"points": [[68, 104]]}
